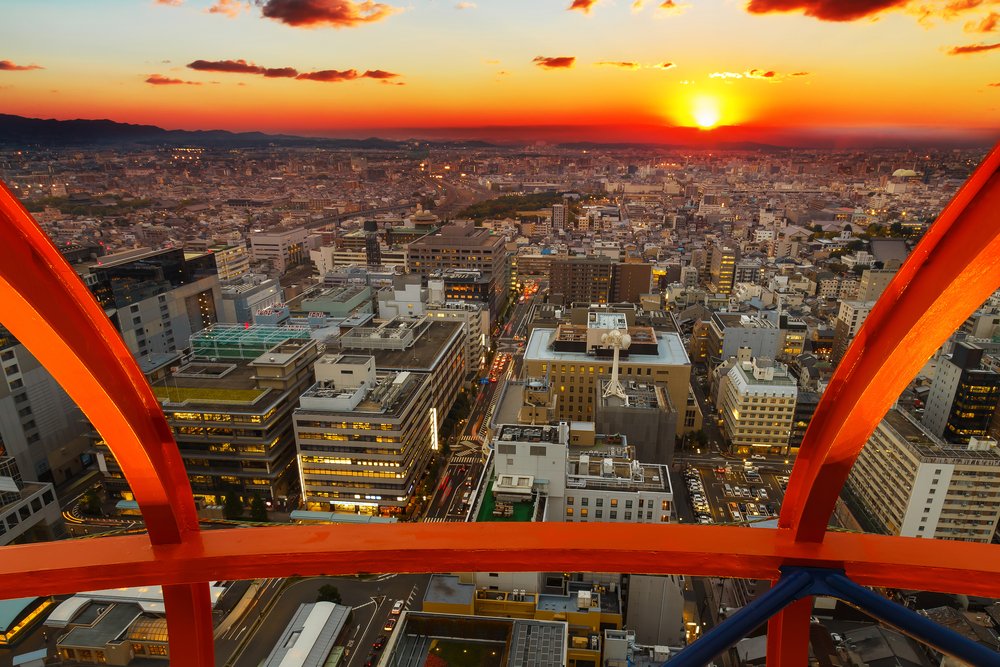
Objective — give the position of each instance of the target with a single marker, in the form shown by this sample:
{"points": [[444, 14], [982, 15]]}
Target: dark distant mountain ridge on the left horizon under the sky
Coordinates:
{"points": [[21, 131]]}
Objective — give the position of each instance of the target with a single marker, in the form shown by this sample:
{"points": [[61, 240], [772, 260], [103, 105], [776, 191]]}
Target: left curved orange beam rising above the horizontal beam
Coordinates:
{"points": [[53, 314]]}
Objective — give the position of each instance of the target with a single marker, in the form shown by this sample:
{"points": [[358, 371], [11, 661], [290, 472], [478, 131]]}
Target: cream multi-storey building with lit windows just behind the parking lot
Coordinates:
{"points": [[757, 405]]}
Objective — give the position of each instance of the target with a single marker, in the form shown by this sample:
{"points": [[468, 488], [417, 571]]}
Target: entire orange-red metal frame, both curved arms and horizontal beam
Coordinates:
{"points": [[950, 273]]}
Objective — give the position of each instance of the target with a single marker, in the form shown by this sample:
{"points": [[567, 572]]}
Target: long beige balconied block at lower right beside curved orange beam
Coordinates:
{"points": [[909, 482]]}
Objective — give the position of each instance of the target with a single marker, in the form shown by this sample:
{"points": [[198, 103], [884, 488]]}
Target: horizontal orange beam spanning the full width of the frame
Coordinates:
{"points": [[282, 551]]}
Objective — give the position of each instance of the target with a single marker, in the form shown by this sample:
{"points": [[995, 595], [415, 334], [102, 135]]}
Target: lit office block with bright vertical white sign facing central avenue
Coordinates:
{"points": [[363, 438]]}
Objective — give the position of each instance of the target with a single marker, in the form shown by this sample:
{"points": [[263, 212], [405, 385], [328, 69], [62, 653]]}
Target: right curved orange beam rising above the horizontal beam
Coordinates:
{"points": [[951, 272]]}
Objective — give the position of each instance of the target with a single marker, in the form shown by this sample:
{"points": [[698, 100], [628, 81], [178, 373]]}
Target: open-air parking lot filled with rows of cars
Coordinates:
{"points": [[733, 493]]}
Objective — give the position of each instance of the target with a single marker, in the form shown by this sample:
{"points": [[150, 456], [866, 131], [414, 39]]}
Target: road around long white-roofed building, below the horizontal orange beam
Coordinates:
{"points": [[372, 601]]}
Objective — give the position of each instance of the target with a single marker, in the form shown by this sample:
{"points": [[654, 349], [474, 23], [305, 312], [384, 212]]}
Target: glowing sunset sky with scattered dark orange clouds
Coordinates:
{"points": [[565, 69]]}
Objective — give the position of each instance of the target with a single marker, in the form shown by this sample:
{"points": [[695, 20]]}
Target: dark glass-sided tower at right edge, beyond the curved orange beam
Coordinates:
{"points": [[963, 397]]}
